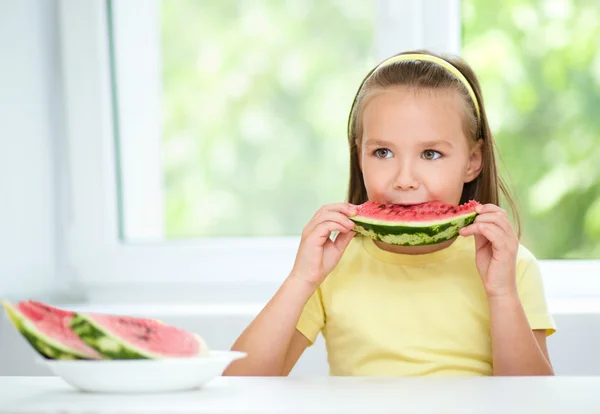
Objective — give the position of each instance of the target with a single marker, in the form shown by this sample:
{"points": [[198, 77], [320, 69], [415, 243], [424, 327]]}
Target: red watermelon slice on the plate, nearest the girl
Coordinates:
{"points": [[125, 337]]}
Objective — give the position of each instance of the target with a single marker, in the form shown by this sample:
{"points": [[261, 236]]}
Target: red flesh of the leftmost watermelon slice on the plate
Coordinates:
{"points": [[53, 323]]}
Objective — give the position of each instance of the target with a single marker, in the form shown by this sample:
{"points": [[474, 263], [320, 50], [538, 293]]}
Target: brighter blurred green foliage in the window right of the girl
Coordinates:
{"points": [[539, 65]]}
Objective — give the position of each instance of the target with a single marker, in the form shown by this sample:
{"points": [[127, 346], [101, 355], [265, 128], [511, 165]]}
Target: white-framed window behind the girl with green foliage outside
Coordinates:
{"points": [[197, 152]]}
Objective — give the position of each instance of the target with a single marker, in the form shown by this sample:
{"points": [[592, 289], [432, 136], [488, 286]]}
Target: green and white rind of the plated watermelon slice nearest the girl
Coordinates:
{"points": [[110, 345]]}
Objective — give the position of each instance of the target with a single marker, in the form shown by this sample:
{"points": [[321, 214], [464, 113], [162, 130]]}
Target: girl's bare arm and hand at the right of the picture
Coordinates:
{"points": [[516, 349]]}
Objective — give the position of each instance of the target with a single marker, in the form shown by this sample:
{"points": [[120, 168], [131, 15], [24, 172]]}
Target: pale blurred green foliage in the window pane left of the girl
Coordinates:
{"points": [[256, 97]]}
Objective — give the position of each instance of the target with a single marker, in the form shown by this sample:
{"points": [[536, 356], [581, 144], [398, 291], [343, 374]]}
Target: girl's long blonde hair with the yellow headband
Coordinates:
{"points": [[423, 70]]}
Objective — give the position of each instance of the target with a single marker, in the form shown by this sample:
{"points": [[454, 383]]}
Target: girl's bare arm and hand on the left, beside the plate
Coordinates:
{"points": [[271, 341]]}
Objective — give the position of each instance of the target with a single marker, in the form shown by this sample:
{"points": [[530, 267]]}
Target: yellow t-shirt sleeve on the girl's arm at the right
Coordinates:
{"points": [[531, 292]]}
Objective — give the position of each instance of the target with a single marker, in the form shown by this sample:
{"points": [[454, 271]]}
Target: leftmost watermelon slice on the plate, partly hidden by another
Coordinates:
{"points": [[47, 329]]}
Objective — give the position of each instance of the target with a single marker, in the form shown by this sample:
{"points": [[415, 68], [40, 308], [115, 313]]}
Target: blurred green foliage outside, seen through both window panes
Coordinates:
{"points": [[257, 93]]}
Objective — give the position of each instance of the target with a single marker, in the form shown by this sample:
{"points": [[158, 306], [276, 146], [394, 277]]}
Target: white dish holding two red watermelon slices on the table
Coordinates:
{"points": [[117, 354]]}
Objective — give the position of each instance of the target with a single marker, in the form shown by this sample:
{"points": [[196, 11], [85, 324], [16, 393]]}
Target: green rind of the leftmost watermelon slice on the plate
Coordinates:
{"points": [[45, 346]]}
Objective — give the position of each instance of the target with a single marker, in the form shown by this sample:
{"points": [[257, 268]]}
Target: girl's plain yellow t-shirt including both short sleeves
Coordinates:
{"points": [[389, 314]]}
